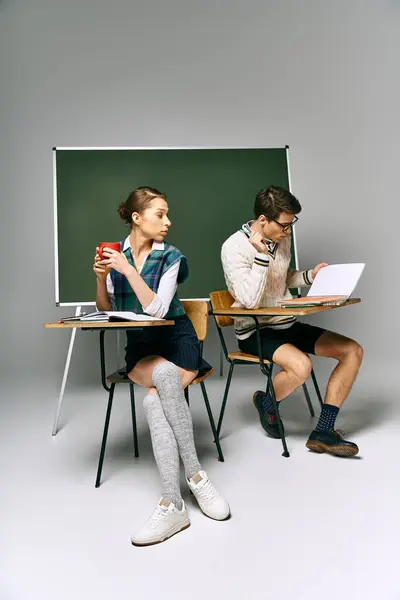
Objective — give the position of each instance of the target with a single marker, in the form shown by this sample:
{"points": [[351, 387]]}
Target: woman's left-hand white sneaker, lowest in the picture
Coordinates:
{"points": [[165, 521]]}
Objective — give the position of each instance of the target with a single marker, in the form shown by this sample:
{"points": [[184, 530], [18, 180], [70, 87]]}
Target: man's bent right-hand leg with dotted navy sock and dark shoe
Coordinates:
{"points": [[349, 355]]}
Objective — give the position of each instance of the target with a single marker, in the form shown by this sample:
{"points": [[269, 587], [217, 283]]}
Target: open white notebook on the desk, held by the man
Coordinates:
{"points": [[332, 286]]}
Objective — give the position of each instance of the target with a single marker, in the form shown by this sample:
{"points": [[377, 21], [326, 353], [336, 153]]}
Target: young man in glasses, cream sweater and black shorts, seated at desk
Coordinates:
{"points": [[256, 262]]}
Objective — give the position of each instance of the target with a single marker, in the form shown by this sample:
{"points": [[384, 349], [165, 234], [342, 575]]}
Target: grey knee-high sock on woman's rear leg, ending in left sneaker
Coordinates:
{"points": [[165, 449]]}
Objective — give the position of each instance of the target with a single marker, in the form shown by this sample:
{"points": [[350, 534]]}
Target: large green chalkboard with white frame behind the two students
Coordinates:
{"points": [[210, 193]]}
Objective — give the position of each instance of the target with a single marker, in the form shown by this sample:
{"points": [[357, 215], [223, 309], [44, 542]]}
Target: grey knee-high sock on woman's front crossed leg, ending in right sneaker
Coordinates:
{"points": [[167, 380]]}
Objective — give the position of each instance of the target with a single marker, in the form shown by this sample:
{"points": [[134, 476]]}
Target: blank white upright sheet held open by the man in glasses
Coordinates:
{"points": [[337, 280]]}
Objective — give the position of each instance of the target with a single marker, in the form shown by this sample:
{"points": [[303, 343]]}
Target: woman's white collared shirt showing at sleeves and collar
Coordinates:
{"points": [[166, 289]]}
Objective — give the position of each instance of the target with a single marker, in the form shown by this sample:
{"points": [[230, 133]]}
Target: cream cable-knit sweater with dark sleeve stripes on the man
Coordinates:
{"points": [[256, 279]]}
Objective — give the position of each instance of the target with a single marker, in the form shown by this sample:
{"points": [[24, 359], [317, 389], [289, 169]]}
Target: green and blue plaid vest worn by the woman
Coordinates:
{"points": [[157, 263]]}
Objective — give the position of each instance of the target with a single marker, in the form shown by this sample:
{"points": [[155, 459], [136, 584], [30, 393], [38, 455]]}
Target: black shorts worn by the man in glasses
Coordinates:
{"points": [[300, 335]]}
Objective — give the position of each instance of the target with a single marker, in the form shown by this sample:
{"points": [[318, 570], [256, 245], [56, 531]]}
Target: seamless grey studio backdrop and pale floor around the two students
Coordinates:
{"points": [[319, 75]]}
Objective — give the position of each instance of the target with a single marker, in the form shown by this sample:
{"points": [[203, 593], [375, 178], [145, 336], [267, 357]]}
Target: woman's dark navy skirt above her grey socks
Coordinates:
{"points": [[177, 343]]}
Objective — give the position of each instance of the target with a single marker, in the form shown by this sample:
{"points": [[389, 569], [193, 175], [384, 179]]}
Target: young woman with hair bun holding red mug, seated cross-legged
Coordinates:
{"points": [[143, 278]]}
